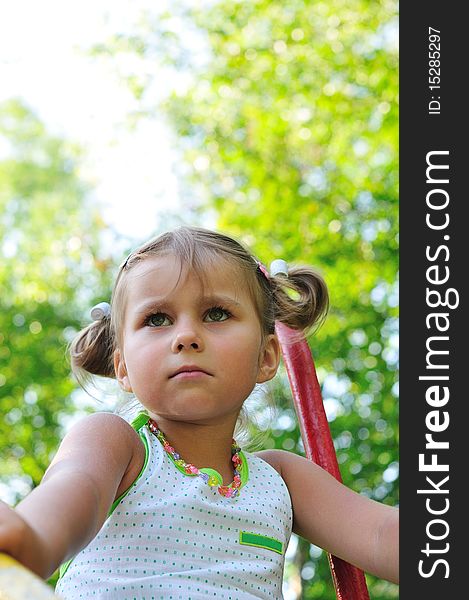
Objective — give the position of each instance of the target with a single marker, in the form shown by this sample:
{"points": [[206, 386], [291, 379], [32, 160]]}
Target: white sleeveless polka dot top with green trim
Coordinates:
{"points": [[171, 536]]}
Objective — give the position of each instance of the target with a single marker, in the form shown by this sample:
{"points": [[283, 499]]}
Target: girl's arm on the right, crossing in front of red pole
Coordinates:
{"points": [[361, 531]]}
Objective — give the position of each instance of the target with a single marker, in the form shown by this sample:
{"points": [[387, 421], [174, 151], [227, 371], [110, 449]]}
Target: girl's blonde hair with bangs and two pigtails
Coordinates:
{"points": [[299, 300]]}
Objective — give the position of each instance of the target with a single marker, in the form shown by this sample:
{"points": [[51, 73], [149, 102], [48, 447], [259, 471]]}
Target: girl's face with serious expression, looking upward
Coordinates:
{"points": [[191, 353]]}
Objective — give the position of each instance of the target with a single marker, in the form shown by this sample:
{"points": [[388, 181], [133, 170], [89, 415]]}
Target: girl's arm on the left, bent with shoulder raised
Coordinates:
{"points": [[98, 460]]}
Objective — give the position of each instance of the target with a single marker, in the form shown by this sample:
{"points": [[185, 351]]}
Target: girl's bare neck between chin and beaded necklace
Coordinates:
{"points": [[203, 445]]}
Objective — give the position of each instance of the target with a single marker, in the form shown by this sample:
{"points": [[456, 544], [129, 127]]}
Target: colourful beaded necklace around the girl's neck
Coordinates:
{"points": [[210, 476]]}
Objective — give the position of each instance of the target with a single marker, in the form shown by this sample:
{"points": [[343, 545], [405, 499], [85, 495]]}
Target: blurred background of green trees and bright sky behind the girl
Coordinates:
{"points": [[275, 122]]}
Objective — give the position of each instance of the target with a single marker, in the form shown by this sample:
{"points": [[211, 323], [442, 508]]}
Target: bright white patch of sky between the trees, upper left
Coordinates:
{"points": [[42, 61]]}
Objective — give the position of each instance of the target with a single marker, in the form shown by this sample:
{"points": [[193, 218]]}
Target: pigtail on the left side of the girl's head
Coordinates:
{"points": [[91, 352]]}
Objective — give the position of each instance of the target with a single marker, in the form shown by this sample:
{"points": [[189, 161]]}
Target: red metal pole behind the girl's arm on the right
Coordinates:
{"points": [[349, 581]]}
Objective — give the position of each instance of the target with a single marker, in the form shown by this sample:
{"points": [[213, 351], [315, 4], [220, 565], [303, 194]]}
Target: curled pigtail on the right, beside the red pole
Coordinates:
{"points": [[301, 300]]}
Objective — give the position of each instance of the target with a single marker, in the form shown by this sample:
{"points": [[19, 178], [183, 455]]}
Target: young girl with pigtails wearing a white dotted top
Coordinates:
{"points": [[170, 507]]}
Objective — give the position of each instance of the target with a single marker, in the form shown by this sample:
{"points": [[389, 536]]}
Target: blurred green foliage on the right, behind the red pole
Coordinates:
{"points": [[289, 130]]}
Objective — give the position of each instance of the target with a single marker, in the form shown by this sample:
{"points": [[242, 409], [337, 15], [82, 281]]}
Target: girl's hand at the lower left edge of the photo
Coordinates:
{"points": [[19, 540]]}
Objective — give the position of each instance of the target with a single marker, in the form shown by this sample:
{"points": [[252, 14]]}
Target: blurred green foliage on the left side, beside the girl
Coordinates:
{"points": [[49, 254]]}
